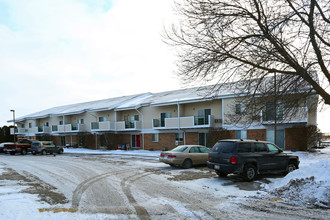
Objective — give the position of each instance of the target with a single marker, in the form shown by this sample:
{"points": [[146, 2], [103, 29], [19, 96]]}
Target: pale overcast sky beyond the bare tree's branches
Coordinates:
{"points": [[58, 52]]}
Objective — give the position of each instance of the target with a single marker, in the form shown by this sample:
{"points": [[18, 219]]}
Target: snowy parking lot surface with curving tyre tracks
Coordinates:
{"points": [[130, 186]]}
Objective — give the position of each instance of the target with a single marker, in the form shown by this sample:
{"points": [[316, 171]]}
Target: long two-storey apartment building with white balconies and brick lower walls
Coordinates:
{"points": [[154, 121]]}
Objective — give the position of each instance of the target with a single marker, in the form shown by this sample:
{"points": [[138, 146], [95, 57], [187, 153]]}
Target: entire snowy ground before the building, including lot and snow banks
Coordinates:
{"points": [[307, 187]]}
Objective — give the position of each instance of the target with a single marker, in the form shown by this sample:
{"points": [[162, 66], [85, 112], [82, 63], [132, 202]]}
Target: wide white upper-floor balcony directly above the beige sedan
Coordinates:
{"points": [[183, 122]]}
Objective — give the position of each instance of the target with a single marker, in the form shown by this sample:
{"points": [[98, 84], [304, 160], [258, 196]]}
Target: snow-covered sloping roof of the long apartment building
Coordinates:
{"points": [[189, 95]]}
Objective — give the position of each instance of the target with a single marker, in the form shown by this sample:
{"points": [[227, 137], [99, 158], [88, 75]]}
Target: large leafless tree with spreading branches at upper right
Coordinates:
{"points": [[221, 41]]}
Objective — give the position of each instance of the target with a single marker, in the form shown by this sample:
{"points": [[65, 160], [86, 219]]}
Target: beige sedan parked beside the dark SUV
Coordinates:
{"points": [[185, 156]]}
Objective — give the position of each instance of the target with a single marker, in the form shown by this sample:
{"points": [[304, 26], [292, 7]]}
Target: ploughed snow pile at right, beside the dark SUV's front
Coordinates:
{"points": [[309, 184]]}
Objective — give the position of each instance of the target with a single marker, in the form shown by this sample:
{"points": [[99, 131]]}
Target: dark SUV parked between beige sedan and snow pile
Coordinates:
{"points": [[249, 158]]}
